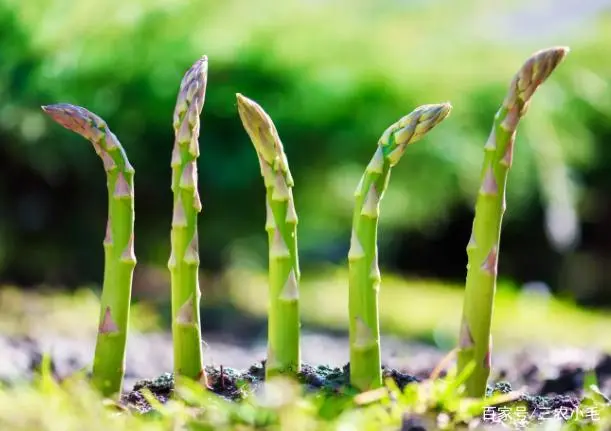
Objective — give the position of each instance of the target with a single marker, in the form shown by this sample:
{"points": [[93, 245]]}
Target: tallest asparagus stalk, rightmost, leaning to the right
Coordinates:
{"points": [[475, 341]]}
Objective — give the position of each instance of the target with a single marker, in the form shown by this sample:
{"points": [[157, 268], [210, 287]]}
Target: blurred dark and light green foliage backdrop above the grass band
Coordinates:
{"points": [[333, 75]]}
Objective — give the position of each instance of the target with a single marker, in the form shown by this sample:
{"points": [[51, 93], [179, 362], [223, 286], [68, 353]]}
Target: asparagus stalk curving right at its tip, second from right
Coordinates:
{"points": [[364, 274]]}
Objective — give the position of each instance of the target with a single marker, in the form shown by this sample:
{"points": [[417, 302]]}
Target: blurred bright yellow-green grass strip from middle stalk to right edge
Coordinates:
{"points": [[430, 311]]}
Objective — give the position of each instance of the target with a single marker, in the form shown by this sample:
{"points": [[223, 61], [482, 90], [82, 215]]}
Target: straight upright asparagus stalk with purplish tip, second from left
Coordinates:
{"points": [[184, 258]]}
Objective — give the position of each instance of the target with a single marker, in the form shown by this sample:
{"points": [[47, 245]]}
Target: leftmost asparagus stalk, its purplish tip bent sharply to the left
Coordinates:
{"points": [[120, 260]]}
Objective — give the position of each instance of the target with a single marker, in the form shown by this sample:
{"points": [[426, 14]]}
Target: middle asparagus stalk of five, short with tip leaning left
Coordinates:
{"points": [[283, 352]]}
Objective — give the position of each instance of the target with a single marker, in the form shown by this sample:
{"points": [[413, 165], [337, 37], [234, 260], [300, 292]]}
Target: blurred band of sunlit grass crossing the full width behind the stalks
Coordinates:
{"points": [[415, 309]]}
